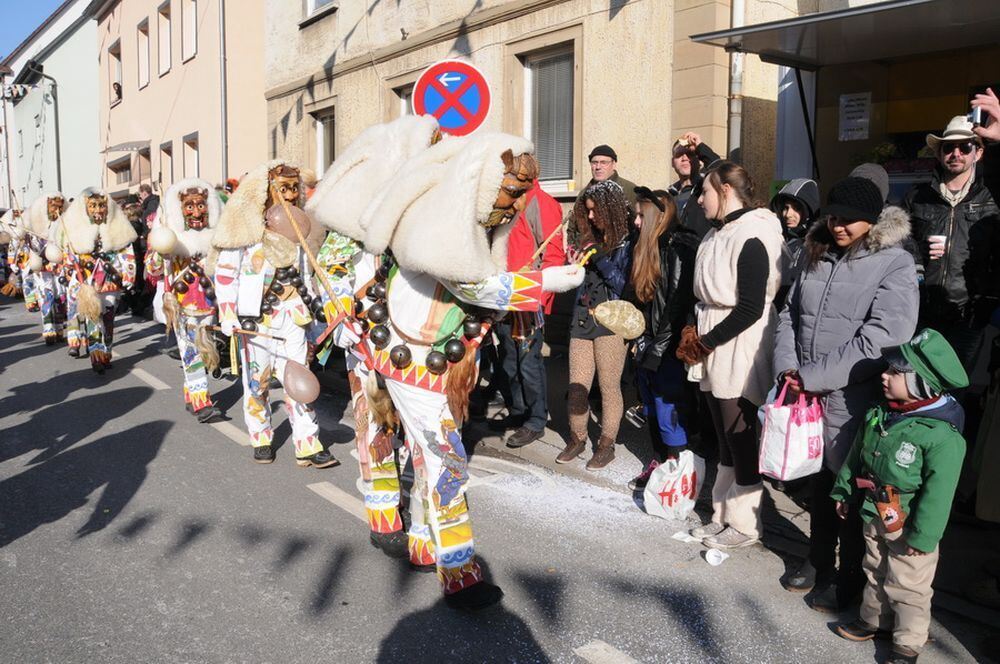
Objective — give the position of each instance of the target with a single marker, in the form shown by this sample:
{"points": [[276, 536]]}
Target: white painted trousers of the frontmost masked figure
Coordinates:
{"points": [[440, 531]]}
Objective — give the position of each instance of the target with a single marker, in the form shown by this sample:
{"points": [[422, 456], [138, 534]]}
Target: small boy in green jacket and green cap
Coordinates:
{"points": [[902, 473]]}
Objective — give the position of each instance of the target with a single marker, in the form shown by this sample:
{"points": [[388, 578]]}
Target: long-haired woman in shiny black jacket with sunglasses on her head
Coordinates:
{"points": [[662, 288]]}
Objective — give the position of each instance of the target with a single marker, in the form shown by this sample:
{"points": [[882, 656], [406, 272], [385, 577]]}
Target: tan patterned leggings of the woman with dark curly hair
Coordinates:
{"points": [[606, 356]]}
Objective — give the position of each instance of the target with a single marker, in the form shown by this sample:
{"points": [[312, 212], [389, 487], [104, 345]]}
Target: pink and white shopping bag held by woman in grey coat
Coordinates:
{"points": [[791, 445]]}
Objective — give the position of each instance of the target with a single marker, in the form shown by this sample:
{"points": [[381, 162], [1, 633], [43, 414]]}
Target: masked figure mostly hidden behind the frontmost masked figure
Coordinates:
{"points": [[348, 186]]}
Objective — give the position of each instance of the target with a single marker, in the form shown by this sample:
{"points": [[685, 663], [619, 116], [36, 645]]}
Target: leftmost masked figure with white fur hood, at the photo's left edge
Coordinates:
{"points": [[44, 262]]}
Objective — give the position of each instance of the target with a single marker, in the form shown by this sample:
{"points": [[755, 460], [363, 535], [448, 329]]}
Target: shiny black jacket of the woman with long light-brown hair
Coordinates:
{"points": [[673, 301]]}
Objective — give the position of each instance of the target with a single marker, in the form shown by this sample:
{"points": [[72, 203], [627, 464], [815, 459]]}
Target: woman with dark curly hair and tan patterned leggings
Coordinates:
{"points": [[603, 219]]}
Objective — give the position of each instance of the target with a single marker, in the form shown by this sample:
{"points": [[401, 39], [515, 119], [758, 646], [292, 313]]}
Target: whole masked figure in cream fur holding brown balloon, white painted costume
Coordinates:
{"points": [[265, 299]]}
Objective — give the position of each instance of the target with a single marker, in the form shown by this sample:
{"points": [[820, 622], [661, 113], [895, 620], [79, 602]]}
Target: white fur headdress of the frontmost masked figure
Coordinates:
{"points": [[430, 213]]}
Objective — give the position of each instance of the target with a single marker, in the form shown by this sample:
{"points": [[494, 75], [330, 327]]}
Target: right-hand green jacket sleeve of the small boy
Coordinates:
{"points": [[939, 474]]}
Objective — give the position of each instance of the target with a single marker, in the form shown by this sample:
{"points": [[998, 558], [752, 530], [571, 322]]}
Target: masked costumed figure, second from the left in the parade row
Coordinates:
{"points": [[96, 241]]}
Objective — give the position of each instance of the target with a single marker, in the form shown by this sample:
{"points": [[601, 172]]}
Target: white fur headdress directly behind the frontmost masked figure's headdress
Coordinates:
{"points": [[360, 172]]}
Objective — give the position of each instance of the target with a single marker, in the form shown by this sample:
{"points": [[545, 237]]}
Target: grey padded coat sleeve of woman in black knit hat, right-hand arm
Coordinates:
{"points": [[891, 321]]}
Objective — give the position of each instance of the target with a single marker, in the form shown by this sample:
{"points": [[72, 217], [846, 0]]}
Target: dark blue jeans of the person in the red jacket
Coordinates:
{"points": [[525, 370]]}
